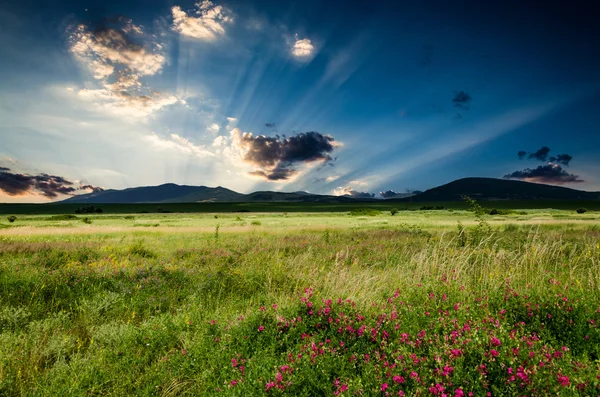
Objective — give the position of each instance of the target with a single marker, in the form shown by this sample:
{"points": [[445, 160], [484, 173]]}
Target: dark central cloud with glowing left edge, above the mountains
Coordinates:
{"points": [[276, 156]]}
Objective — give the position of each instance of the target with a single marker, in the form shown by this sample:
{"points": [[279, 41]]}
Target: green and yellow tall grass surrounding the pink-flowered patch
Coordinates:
{"points": [[164, 314]]}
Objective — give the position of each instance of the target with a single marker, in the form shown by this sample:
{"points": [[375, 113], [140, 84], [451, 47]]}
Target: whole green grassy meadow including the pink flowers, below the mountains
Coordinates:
{"points": [[302, 304]]}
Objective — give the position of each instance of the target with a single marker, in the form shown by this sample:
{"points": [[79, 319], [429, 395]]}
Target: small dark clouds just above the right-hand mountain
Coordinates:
{"points": [[551, 173]]}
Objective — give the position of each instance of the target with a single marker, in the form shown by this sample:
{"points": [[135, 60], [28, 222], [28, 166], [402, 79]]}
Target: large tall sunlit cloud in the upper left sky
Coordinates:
{"points": [[118, 61]]}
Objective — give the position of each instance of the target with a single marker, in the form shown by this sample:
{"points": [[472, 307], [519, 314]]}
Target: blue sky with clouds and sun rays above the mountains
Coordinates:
{"points": [[330, 97]]}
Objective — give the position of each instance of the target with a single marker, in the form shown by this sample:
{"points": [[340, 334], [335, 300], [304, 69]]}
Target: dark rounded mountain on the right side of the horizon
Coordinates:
{"points": [[489, 189]]}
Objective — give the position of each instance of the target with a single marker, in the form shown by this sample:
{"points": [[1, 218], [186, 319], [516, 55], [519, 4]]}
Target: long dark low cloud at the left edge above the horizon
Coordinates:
{"points": [[50, 186]]}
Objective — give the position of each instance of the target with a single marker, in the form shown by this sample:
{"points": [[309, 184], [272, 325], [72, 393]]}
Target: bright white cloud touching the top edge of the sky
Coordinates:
{"points": [[207, 24]]}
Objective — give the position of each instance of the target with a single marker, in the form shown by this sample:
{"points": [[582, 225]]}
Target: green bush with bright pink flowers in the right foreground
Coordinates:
{"points": [[442, 343]]}
